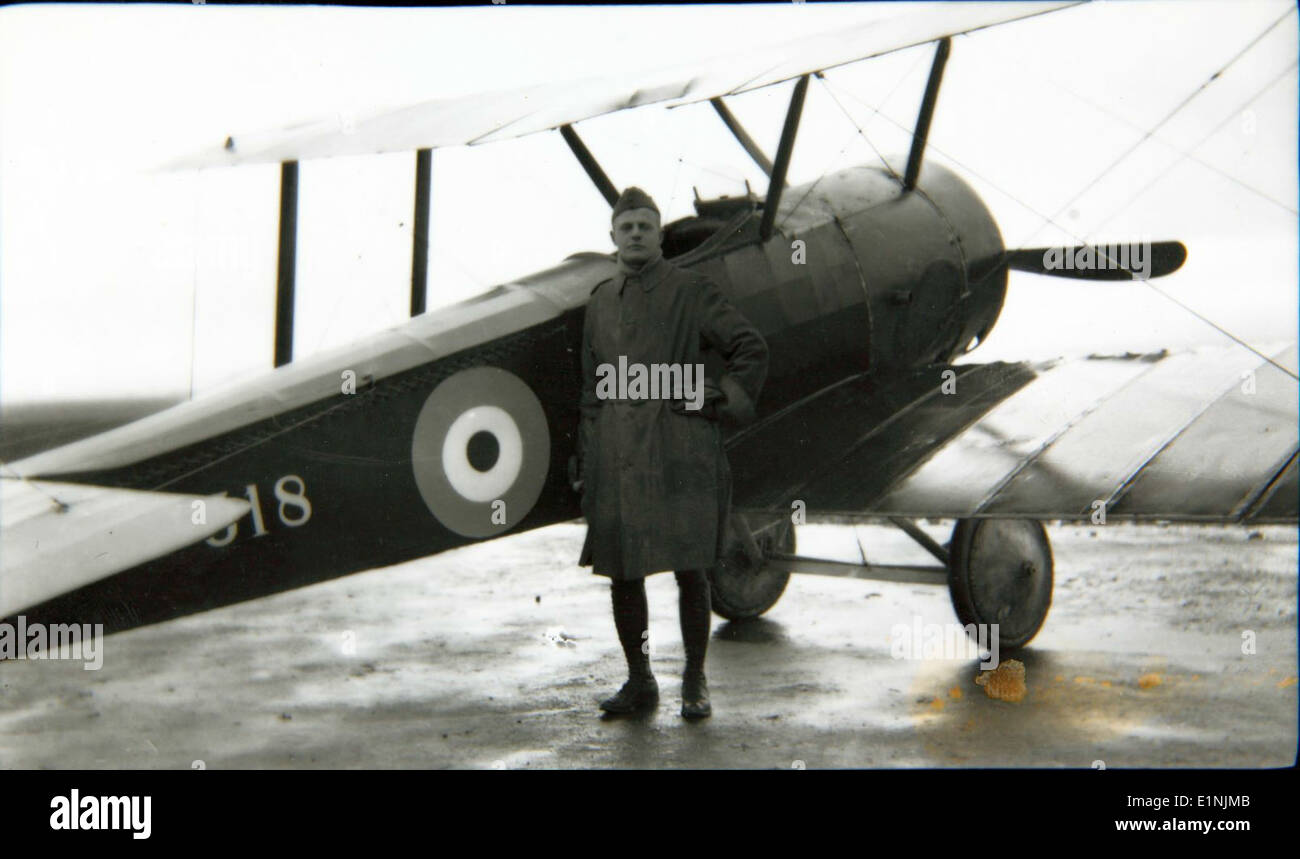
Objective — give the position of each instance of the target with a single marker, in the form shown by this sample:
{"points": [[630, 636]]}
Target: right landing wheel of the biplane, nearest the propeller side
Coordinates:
{"points": [[1000, 572]]}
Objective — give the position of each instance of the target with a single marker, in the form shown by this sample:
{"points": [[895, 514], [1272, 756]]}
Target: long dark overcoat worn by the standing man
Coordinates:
{"points": [[656, 481]]}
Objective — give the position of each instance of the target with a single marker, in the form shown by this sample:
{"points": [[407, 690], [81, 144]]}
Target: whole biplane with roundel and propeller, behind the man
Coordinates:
{"points": [[872, 287]]}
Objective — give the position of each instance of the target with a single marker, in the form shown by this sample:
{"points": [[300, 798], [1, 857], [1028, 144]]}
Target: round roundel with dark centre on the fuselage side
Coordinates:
{"points": [[480, 439]]}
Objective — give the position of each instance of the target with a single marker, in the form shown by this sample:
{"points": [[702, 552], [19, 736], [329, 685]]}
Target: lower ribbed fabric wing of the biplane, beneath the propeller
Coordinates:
{"points": [[1207, 436]]}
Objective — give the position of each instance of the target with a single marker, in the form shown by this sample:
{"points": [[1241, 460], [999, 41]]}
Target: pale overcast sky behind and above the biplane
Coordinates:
{"points": [[118, 279]]}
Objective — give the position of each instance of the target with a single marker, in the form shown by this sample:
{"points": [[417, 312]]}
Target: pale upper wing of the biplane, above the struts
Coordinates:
{"points": [[499, 116]]}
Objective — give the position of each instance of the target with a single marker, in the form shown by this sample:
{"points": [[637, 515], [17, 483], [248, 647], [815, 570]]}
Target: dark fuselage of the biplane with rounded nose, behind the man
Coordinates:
{"points": [[857, 277]]}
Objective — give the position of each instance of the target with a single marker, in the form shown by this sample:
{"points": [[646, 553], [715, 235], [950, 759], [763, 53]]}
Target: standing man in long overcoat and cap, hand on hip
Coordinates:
{"points": [[653, 474]]}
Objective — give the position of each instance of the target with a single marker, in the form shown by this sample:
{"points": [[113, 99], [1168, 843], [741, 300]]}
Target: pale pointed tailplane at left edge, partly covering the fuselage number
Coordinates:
{"points": [[58, 537]]}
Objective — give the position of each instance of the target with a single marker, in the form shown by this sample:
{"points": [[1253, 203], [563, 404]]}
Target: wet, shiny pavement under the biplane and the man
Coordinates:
{"points": [[493, 657]]}
